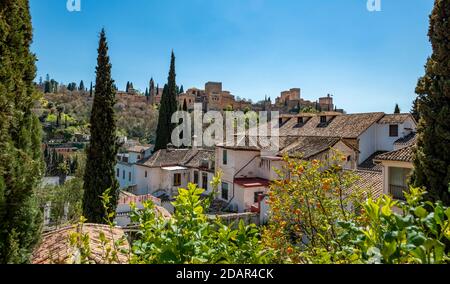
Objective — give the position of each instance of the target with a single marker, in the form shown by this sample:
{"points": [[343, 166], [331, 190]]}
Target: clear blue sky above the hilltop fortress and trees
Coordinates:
{"points": [[368, 60]]}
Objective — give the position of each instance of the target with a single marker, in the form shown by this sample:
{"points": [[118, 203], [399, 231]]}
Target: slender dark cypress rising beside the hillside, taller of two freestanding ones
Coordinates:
{"points": [[102, 151]]}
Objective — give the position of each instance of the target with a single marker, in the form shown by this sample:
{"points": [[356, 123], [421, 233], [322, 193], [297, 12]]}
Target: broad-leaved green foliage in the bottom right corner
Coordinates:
{"points": [[418, 234]]}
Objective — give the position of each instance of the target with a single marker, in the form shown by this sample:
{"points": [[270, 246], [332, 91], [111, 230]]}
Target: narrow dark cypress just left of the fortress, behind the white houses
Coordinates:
{"points": [[167, 109]]}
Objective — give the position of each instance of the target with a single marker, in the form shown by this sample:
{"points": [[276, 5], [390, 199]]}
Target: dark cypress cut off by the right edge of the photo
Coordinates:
{"points": [[432, 159]]}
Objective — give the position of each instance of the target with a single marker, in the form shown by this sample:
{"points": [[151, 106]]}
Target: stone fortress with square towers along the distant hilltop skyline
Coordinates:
{"points": [[214, 98]]}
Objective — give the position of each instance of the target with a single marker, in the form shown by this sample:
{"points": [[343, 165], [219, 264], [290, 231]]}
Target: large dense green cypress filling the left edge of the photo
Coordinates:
{"points": [[21, 166]]}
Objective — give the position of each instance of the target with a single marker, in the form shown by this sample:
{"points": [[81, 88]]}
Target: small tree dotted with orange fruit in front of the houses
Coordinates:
{"points": [[306, 205]]}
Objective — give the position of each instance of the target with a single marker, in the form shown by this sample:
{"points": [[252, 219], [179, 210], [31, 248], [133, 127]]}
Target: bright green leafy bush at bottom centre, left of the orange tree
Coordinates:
{"points": [[190, 237]]}
